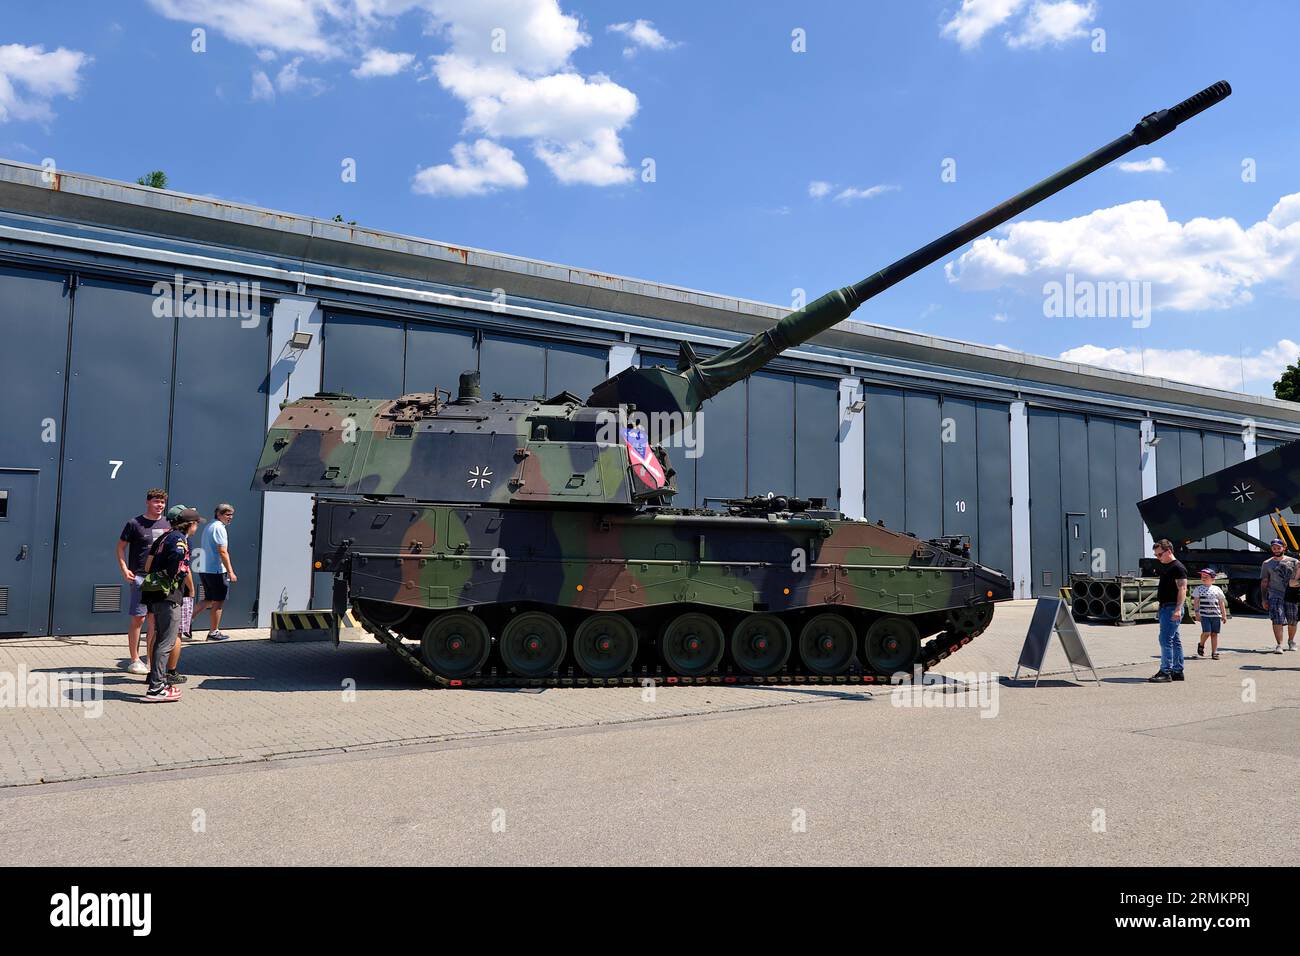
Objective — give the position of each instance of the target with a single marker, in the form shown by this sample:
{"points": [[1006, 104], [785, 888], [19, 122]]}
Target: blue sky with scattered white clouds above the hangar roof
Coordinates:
{"points": [[774, 170]]}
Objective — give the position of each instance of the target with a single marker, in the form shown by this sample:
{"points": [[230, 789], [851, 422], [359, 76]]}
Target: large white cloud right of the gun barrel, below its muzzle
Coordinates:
{"points": [[1203, 263]]}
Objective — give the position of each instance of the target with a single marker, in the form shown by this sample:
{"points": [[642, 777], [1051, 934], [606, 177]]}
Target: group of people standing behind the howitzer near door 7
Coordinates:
{"points": [[157, 560]]}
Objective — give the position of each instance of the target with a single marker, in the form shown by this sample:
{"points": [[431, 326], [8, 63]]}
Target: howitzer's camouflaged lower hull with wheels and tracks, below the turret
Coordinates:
{"points": [[487, 595]]}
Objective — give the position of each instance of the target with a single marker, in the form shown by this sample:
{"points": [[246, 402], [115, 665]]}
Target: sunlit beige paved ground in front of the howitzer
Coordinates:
{"points": [[266, 763]]}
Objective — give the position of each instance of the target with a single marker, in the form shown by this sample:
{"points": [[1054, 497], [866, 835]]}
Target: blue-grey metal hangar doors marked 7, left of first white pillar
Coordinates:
{"points": [[177, 404]]}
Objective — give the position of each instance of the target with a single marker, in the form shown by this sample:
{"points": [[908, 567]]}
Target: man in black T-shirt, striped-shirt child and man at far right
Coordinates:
{"points": [[1280, 591]]}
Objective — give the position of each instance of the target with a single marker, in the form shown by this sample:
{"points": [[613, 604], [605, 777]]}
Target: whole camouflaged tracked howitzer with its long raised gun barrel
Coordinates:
{"points": [[523, 542]]}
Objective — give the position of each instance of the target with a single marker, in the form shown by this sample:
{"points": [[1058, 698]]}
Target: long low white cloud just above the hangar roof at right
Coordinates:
{"points": [[1191, 366]]}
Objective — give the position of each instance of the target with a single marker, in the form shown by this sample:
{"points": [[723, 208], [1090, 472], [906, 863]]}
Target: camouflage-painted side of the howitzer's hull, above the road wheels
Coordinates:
{"points": [[439, 557]]}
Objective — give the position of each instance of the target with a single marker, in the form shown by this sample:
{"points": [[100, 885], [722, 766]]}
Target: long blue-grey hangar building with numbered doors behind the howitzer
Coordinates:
{"points": [[114, 386]]}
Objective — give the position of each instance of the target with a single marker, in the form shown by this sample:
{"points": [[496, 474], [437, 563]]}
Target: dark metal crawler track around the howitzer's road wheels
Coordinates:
{"points": [[939, 648]]}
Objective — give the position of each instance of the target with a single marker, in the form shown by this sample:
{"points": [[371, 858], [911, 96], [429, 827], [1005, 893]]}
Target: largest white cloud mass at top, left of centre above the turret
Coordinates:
{"points": [[508, 60]]}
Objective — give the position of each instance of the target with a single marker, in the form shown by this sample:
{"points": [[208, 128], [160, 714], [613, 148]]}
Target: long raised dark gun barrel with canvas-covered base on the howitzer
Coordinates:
{"points": [[696, 382]]}
